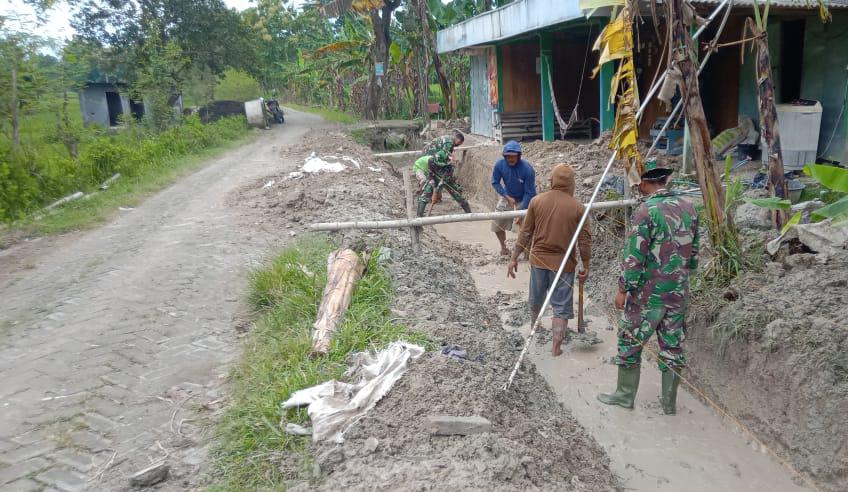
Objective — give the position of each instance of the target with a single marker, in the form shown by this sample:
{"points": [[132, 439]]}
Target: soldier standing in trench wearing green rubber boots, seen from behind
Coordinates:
{"points": [[659, 255]]}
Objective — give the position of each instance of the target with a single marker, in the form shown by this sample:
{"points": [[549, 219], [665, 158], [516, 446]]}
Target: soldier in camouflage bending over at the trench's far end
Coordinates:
{"points": [[441, 173]]}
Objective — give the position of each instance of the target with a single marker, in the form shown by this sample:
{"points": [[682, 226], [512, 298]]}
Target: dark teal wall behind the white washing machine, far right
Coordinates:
{"points": [[824, 78]]}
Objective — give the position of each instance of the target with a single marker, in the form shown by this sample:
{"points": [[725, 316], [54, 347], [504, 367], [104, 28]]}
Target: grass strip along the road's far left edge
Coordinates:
{"points": [[128, 191]]}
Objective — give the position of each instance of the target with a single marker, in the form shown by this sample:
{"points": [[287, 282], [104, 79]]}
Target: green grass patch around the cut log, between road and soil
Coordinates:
{"points": [[253, 452]]}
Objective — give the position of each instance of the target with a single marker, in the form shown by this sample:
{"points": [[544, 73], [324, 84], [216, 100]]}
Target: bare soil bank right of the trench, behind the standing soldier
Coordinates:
{"points": [[771, 350]]}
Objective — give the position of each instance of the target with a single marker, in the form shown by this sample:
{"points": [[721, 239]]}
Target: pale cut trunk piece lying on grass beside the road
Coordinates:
{"points": [[344, 269]]}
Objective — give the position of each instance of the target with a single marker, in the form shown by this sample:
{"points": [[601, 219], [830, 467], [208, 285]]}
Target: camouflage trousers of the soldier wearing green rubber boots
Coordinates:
{"points": [[639, 322]]}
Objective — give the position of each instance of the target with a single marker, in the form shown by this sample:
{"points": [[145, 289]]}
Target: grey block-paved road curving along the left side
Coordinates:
{"points": [[112, 339]]}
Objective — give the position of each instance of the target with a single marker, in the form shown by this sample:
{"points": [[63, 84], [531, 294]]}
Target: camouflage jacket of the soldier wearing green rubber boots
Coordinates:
{"points": [[661, 250]]}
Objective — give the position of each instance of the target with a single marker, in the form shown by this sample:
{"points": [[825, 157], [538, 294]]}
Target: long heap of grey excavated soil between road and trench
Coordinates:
{"points": [[536, 443]]}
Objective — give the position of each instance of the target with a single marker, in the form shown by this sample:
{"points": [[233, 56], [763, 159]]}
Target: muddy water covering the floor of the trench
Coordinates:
{"points": [[695, 450]]}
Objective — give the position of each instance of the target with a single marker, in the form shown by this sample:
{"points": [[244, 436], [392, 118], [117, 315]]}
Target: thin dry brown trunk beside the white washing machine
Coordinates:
{"points": [[768, 123]]}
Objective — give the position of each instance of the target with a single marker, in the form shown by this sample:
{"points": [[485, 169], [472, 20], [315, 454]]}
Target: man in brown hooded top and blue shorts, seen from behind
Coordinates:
{"points": [[549, 225]]}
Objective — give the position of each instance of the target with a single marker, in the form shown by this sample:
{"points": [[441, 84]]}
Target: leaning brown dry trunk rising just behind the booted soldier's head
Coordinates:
{"points": [[708, 179]]}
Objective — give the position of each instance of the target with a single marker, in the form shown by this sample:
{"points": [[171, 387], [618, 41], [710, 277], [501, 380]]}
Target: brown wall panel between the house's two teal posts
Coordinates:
{"points": [[522, 88]]}
